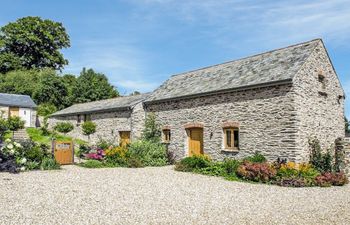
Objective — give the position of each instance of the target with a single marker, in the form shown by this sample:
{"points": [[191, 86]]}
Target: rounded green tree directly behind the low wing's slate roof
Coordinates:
{"points": [[92, 86]]}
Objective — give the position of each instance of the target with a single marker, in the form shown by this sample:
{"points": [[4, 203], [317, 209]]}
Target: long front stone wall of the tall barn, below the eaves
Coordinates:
{"points": [[266, 118]]}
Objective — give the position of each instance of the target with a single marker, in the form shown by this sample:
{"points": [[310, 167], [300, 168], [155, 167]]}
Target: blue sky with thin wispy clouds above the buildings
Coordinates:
{"points": [[139, 43]]}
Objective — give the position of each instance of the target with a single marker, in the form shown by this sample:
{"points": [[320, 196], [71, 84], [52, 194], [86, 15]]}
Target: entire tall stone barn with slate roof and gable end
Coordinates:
{"points": [[271, 102]]}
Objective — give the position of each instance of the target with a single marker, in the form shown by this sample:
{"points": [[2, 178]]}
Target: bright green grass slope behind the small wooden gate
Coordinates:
{"points": [[36, 135]]}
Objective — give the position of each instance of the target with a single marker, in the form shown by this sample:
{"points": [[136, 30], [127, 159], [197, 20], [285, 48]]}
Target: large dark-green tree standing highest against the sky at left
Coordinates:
{"points": [[32, 42]]}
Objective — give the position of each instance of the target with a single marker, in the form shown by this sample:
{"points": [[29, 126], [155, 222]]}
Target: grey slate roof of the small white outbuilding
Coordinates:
{"points": [[23, 101]]}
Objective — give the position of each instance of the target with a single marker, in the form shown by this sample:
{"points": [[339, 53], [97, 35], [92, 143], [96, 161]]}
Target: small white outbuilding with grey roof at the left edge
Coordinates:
{"points": [[18, 105]]}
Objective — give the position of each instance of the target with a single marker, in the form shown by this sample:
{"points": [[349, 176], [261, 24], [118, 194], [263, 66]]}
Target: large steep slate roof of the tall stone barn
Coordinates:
{"points": [[263, 69]]}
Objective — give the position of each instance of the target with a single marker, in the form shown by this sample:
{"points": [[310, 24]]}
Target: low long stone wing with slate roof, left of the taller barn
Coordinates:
{"points": [[118, 119]]}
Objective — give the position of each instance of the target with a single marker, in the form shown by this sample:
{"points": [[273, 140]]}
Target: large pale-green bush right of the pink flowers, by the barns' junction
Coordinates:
{"points": [[150, 153]]}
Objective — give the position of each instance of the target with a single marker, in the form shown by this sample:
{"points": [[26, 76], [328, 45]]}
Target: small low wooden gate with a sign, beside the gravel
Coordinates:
{"points": [[64, 152]]}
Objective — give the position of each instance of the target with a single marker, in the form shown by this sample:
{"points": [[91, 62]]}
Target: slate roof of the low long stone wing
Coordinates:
{"points": [[118, 103]]}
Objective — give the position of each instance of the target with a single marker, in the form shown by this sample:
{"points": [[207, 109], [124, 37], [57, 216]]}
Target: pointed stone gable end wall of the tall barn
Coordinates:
{"points": [[320, 110]]}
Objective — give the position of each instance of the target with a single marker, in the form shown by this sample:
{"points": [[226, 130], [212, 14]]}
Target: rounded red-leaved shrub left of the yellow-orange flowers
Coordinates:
{"points": [[259, 172]]}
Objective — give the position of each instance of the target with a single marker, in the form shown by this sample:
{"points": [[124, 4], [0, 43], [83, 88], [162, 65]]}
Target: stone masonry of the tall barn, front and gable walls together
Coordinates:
{"points": [[277, 119]]}
